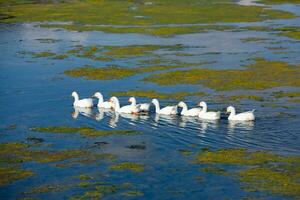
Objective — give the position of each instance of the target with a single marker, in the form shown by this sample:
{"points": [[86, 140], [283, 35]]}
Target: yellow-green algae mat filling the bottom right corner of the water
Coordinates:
{"points": [[259, 171]]}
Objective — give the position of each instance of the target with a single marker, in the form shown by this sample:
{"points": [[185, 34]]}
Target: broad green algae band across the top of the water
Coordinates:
{"points": [[119, 13]]}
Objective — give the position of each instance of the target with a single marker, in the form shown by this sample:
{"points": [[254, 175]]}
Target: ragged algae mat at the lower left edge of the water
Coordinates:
{"points": [[13, 154]]}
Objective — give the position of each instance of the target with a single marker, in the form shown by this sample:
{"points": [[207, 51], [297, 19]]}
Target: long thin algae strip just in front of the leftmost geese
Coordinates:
{"points": [[85, 131]]}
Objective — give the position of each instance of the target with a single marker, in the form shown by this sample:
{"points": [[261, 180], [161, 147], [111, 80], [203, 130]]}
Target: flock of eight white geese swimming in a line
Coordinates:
{"points": [[135, 108]]}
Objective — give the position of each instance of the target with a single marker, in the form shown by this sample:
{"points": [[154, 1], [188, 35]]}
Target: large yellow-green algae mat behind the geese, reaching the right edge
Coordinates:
{"points": [[260, 75]]}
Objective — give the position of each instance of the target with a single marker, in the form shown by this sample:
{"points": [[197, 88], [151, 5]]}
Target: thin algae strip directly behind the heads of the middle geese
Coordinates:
{"points": [[160, 95]]}
